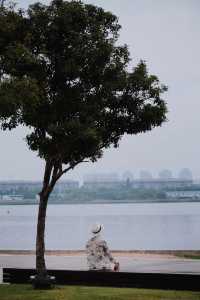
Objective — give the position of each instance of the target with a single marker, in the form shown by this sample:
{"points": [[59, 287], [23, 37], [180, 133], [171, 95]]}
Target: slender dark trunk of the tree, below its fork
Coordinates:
{"points": [[40, 240]]}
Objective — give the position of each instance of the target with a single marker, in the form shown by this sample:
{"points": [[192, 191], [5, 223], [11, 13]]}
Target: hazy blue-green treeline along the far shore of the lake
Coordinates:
{"points": [[89, 195]]}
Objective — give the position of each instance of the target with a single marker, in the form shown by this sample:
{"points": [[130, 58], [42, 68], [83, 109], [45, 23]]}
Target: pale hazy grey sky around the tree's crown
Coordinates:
{"points": [[167, 35]]}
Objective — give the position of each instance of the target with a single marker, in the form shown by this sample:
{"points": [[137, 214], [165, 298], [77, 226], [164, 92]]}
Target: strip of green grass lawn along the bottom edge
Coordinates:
{"points": [[25, 292]]}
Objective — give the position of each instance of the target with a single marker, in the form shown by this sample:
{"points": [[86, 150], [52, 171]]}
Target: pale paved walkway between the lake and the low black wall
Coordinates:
{"points": [[127, 263]]}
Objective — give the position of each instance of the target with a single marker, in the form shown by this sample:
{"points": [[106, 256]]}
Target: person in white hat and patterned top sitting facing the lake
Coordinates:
{"points": [[99, 257]]}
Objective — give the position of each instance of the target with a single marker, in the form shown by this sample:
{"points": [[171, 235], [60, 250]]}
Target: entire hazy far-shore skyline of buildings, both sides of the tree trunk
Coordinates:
{"points": [[179, 187]]}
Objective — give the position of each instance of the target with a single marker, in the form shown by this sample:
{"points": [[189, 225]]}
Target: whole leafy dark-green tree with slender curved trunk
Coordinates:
{"points": [[63, 76]]}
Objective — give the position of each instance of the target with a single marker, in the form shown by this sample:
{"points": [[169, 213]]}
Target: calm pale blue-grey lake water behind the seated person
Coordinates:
{"points": [[152, 226]]}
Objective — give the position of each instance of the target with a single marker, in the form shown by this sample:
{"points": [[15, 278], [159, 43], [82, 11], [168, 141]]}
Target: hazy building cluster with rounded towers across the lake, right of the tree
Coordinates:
{"points": [[180, 187]]}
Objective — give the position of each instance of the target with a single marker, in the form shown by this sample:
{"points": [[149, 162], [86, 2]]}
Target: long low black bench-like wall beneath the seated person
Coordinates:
{"points": [[113, 279]]}
